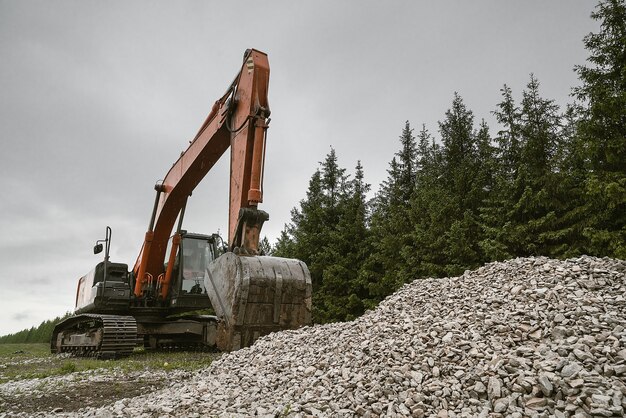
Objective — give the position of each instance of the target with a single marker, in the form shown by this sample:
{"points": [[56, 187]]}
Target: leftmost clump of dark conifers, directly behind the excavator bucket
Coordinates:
{"points": [[329, 233]]}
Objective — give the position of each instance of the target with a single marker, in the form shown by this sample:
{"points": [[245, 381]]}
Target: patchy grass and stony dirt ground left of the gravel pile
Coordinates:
{"points": [[67, 389]]}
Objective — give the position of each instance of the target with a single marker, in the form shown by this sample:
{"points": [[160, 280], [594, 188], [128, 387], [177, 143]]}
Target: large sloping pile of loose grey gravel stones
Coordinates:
{"points": [[526, 337]]}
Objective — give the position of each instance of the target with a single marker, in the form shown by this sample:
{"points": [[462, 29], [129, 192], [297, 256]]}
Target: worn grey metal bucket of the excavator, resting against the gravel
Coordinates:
{"points": [[255, 295]]}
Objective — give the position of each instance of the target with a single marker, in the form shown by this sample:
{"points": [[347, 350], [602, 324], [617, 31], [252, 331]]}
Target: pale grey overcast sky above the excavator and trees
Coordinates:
{"points": [[98, 99]]}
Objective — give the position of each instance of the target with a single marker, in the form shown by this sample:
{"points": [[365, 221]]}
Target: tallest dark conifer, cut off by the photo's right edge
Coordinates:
{"points": [[602, 131]]}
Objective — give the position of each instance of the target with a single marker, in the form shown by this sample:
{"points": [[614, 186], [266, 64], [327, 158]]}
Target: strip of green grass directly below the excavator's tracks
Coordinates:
{"points": [[28, 361]]}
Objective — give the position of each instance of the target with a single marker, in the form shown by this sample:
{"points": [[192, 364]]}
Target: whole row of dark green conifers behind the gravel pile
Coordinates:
{"points": [[550, 181]]}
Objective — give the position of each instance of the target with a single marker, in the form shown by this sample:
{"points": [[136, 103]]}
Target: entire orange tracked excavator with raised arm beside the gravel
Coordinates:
{"points": [[178, 274]]}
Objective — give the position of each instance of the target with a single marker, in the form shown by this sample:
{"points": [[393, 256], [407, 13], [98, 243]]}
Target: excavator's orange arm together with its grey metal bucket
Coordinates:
{"points": [[252, 295]]}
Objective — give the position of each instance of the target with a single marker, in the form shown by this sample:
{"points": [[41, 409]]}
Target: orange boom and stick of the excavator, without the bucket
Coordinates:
{"points": [[238, 120]]}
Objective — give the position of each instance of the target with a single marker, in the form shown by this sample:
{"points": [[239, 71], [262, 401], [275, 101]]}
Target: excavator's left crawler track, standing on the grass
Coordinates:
{"points": [[95, 335]]}
